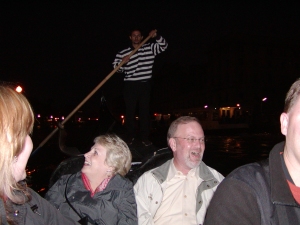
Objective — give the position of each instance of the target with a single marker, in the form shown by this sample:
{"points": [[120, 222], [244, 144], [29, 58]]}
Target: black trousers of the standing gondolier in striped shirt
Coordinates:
{"points": [[137, 93]]}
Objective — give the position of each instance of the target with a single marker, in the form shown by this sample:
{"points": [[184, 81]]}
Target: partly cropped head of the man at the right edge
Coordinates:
{"points": [[290, 119]]}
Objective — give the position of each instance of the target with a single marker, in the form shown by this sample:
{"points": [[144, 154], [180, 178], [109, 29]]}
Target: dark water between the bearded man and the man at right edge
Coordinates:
{"points": [[226, 153]]}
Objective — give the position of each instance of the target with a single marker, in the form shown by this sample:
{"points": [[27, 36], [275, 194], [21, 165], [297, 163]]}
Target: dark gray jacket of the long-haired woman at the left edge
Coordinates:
{"points": [[36, 212]]}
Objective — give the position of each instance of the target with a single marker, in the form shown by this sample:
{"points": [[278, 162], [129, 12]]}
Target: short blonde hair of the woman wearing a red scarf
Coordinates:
{"points": [[118, 154]]}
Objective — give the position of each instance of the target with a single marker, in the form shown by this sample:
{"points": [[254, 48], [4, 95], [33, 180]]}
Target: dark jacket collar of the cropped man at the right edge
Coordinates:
{"points": [[280, 191]]}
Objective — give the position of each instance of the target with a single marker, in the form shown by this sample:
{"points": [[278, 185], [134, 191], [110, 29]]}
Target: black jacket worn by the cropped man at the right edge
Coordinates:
{"points": [[257, 193]]}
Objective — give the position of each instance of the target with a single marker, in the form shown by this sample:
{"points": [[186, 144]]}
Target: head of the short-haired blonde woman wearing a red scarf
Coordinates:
{"points": [[109, 155]]}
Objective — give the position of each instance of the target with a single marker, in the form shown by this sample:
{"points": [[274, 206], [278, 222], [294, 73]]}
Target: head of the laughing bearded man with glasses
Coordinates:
{"points": [[186, 139]]}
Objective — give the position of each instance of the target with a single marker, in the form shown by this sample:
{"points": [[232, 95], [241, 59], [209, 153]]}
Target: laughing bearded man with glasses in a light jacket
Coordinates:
{"points": [[179, 191]]}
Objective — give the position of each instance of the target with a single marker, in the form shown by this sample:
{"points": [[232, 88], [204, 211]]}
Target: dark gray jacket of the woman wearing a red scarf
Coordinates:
{"points": [[114, 205]]}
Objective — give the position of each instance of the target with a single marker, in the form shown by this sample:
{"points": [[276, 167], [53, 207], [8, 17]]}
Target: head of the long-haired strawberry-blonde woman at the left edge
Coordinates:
{"points": [[16, 122]]}
